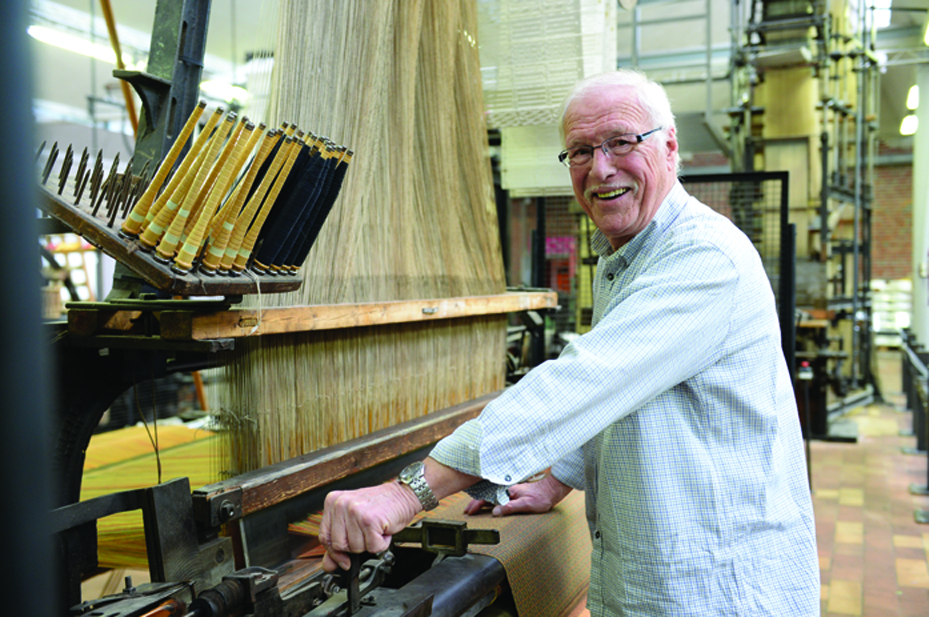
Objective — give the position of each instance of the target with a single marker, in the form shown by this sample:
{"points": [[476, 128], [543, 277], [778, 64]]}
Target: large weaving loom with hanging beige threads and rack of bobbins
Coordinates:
{"points": [[368, 326]]}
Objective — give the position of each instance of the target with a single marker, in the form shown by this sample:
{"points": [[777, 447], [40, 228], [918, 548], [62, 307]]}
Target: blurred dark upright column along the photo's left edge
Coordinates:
{"points": [[24, 373]]}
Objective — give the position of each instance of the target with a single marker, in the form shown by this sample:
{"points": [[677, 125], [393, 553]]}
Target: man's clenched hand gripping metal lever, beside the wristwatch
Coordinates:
{"points": [[364, 520]]}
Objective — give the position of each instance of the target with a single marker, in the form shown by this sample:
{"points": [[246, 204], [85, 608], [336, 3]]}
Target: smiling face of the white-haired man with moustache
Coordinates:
{"points": [[619, 193]]}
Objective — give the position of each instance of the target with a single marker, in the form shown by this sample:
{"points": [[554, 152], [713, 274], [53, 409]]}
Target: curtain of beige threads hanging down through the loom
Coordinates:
{"points": [[400, 82]]}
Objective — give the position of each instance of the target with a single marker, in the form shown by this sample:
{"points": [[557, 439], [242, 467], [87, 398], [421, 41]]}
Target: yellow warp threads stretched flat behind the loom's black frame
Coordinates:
{"points": [[130, 464]]}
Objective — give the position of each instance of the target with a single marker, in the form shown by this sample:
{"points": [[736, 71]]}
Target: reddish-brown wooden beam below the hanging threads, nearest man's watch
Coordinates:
{"points": [[277, 483]]}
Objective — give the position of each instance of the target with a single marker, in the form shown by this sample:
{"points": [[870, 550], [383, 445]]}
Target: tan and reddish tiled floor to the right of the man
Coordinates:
{"points": [[874, 556]]}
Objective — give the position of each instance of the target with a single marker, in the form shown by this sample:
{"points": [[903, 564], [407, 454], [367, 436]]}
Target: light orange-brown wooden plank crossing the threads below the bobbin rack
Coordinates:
{"points": [[283, 320]]}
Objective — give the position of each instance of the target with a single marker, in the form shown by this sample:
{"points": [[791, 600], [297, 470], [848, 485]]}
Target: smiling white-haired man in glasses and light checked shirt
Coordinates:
{"points": [[675, 413]]}
